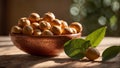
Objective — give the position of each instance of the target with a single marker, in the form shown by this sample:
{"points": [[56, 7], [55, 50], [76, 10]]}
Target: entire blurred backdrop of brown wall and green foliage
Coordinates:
{"points": [[92, 14]]}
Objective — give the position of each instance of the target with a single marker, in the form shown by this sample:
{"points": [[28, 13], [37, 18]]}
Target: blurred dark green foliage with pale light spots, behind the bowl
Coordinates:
{"points": [[96, 13]]}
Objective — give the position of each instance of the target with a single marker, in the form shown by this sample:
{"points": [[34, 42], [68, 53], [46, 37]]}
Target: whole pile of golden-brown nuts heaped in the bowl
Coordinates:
{"points": [[46, 25]]}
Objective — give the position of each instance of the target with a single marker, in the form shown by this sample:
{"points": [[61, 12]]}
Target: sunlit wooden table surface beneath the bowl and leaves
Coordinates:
{"points": [[12, 57]]}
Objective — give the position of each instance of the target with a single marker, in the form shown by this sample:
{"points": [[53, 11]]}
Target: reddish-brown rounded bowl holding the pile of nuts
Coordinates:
{"points": [[42, 45]]}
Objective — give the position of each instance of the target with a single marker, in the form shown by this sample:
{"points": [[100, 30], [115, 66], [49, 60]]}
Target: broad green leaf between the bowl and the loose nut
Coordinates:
{"points": [[76, 48]]}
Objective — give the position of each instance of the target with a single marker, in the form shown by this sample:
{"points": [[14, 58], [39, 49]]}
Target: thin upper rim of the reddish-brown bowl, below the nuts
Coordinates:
{"points": [[66, 35]]}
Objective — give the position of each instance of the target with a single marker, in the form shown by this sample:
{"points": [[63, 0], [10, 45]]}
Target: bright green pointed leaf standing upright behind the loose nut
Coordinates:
{"points": [[96, 37]]}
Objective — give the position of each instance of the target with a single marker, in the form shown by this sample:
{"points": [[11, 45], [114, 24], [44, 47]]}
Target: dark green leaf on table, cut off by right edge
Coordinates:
{"points": [[110, 52]]}
